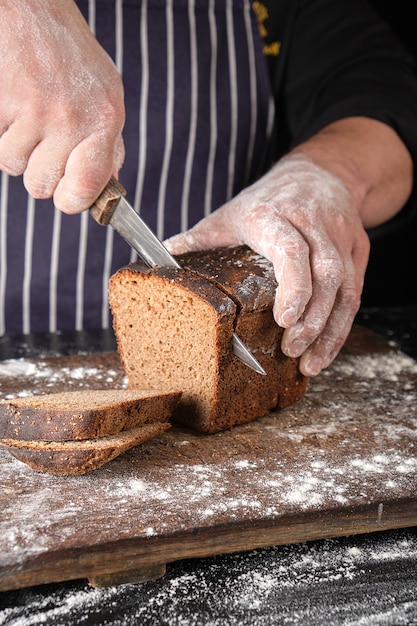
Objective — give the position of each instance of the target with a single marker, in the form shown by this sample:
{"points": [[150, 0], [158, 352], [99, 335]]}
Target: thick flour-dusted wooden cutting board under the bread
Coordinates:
{"points": [[341, 461]]}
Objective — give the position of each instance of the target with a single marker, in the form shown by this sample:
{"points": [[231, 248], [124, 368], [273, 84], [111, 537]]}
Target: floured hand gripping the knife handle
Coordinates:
{"points": [[61, 103]]}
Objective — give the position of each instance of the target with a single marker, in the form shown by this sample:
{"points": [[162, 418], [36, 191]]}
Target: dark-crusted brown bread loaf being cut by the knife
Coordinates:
{"points": [[174, 329]]}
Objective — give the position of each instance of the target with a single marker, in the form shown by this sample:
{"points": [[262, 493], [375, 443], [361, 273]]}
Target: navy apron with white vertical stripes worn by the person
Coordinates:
{"points": [[199, 117]]}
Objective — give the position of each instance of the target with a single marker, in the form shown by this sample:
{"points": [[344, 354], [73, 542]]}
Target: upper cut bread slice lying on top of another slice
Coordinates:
{"points": [[84, 414]]}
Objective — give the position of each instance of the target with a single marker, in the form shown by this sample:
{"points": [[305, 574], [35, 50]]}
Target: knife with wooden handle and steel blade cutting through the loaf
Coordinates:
{"points": [[111, 208]]}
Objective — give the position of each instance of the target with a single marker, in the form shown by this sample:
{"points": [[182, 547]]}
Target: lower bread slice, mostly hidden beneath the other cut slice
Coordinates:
{"points": [[67, 458]]}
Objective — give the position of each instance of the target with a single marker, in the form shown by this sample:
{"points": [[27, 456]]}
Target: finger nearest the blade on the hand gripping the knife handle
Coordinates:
{"points": [[88, 170]]}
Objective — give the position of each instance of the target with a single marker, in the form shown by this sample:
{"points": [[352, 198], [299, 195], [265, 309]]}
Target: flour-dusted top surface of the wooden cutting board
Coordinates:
{"points": [[327, 451]]}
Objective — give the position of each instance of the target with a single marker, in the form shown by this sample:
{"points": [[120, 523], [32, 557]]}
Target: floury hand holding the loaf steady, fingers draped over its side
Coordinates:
{"points": [[302, 219]]}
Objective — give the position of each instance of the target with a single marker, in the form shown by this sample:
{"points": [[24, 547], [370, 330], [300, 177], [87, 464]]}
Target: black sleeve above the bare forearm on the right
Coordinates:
{"points": [[339, 58]]}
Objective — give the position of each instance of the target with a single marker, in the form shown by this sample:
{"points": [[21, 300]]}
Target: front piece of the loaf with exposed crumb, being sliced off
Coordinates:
{"points": [[172, 328]]}
